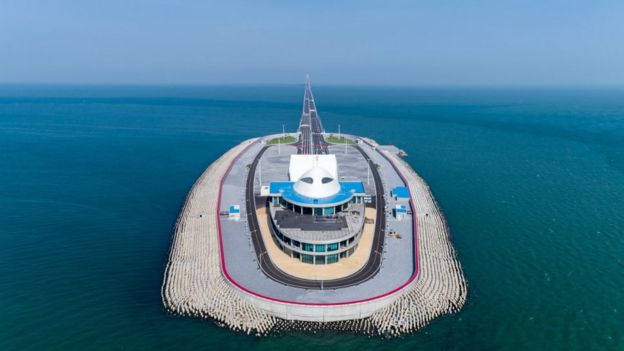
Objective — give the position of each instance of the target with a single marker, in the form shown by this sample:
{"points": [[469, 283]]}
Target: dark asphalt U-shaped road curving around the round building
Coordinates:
{"points": [[368, 271]]}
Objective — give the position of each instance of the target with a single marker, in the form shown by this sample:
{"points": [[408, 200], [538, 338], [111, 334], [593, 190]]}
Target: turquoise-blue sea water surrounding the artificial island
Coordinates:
{"points": [[92, 179]]}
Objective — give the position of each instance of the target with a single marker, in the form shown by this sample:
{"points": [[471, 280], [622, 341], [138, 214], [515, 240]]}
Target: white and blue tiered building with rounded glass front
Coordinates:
{"points": [[316, 218]]}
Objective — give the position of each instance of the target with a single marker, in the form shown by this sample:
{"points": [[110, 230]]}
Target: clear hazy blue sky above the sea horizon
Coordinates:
{"points": [[337, 42]]}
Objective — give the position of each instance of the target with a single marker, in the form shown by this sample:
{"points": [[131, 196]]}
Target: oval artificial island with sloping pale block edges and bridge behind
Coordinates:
{"points": [[312, 230]]}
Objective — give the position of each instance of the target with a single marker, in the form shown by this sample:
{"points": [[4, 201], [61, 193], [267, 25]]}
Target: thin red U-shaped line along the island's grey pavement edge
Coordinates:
{"points": [[233, 282]]}
